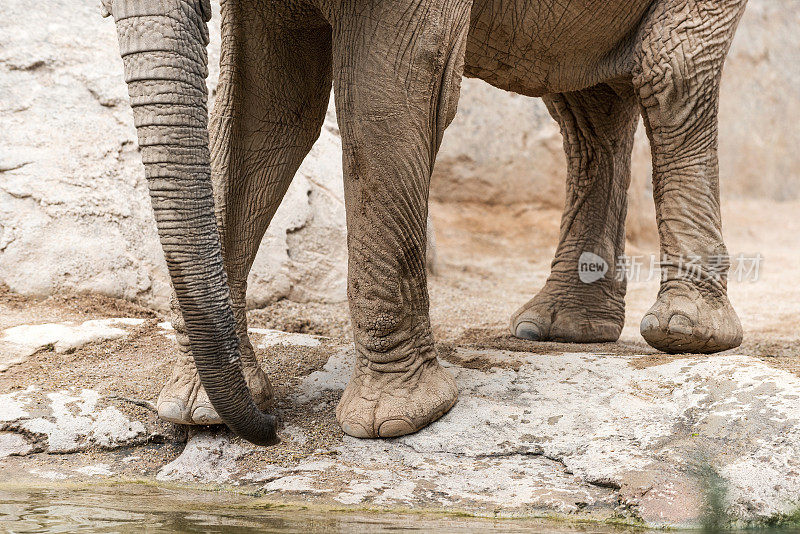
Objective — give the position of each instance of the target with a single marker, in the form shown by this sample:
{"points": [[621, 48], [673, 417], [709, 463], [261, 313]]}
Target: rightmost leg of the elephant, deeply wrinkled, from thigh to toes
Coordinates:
{"points": [[680, 59]]}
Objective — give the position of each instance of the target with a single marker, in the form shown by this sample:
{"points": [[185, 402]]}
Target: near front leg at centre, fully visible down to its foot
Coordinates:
{"points": [[398, 73]]}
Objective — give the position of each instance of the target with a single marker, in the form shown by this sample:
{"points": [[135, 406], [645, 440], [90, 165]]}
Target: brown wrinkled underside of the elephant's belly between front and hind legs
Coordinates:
{"points": [[533, 47]]}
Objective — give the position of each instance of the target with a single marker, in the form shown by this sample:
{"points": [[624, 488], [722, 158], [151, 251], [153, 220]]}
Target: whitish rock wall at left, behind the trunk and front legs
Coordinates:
{"points": [[74, 208]]}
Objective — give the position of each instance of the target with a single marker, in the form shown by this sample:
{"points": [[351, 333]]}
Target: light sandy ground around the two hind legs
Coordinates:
{"points": [[495, 259]]}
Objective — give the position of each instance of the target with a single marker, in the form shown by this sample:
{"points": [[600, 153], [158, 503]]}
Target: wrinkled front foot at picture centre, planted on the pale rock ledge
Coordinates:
{"points": [[385, 405]]}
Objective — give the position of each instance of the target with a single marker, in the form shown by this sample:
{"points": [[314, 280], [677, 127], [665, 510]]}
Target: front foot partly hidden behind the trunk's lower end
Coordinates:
{"points": [[183, 399]]}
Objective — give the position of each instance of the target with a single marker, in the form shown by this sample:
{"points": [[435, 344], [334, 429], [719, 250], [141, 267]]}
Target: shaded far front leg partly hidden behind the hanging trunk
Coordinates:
{"points": [[271, 101]]}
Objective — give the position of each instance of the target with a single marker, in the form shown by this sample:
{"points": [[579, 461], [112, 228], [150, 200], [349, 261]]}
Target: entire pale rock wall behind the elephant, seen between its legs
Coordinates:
{"points": [[74, 210]]}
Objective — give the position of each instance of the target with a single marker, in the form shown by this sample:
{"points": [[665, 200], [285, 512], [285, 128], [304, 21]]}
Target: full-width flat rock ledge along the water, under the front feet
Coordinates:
{"points": [[650, 438]]}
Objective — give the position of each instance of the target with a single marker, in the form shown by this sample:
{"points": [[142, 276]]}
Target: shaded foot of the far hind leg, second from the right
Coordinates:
{"points": [[578, 314]]}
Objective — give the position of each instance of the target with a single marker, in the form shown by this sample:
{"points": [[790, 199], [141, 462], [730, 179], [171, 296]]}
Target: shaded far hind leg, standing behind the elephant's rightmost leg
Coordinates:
{"points": [[583, 300]]}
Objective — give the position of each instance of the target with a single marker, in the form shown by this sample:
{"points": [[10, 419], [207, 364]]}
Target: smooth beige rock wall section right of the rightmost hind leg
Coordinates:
{"points": [[760, 106]]}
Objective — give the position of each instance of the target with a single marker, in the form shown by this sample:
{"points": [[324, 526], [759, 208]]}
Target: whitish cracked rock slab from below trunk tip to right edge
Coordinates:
{"points": [[573, 433]]}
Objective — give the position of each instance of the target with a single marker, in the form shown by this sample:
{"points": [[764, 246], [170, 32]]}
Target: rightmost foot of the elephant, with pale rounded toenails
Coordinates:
{"points": [[684, 319]]}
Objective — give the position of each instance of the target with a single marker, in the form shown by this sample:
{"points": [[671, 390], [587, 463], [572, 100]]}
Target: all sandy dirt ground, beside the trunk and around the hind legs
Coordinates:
{"points": [[491, 261]]}
